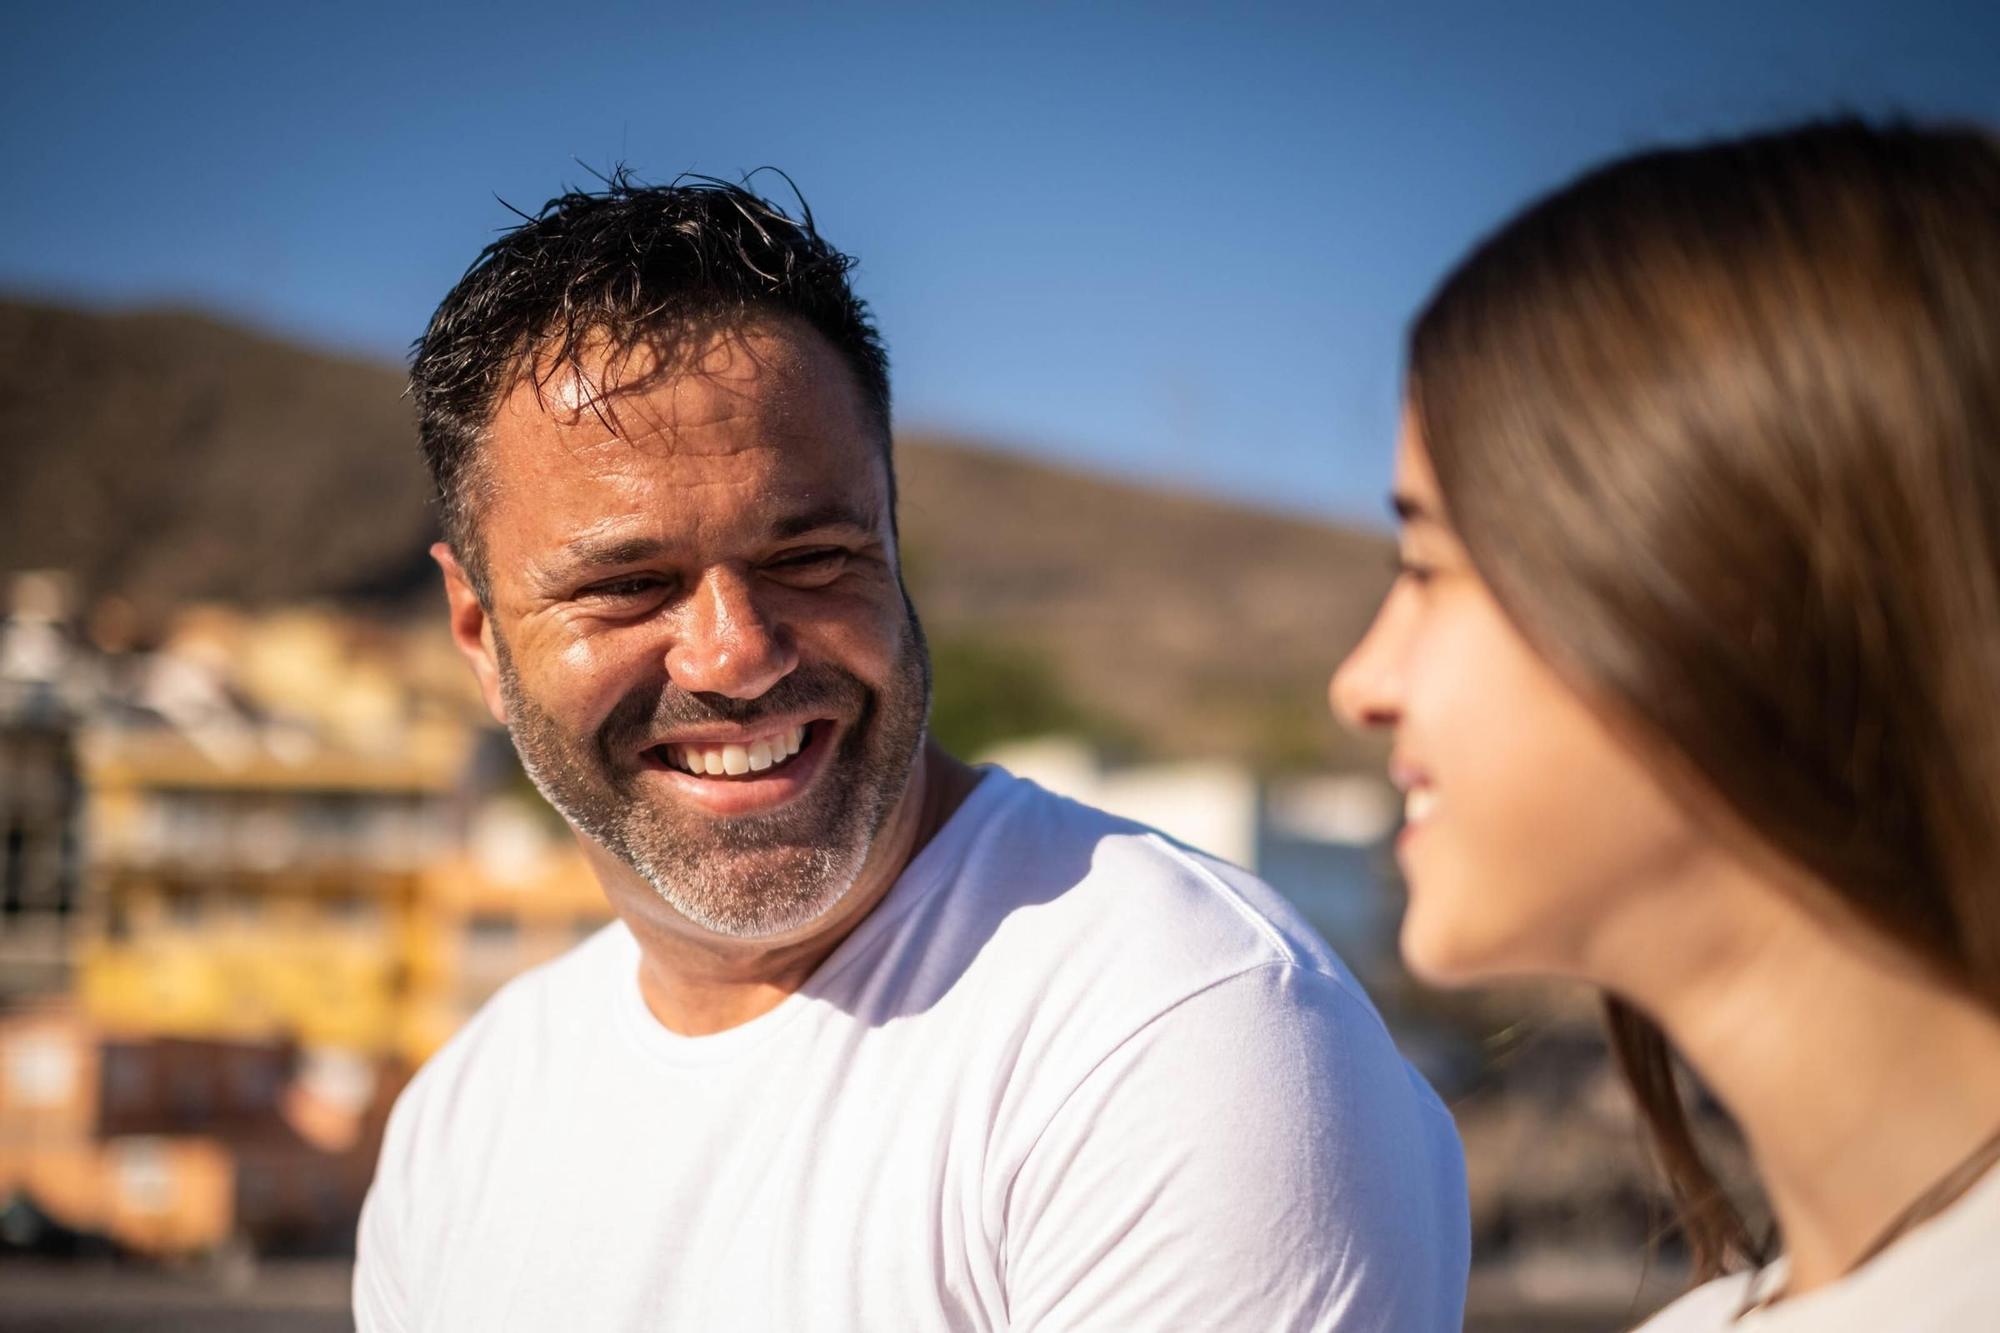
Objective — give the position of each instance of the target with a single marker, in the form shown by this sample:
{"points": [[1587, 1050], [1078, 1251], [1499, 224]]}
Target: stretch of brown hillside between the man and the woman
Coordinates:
{"points": [[1205, 627]]}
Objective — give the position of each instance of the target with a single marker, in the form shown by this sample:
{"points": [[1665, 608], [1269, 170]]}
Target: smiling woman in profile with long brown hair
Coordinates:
{"points": [[1695, 682]]}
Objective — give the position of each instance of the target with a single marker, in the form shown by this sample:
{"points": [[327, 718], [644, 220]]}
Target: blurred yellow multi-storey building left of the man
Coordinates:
{"points": [[333, 876]]}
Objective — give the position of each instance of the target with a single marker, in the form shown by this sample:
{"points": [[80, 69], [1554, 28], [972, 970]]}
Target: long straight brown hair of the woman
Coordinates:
{"points": [[1721, 429]]}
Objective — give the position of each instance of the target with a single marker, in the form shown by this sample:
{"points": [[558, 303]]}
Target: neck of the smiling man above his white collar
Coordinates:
{"points": [[699, 984]]}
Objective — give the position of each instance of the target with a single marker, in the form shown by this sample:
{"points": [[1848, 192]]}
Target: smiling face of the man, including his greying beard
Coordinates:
{"points": [[697, 625]]}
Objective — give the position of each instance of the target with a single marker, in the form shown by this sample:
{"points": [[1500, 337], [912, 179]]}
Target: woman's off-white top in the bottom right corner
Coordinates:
{"points": [[1941, 1278]]}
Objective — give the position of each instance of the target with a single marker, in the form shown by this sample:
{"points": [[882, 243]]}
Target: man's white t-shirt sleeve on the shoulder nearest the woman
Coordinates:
{"points": [[1255, 1158]]}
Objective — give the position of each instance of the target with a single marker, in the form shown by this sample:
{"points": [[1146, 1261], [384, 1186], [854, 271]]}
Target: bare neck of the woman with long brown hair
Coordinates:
{"points": [[1857, 1078]]}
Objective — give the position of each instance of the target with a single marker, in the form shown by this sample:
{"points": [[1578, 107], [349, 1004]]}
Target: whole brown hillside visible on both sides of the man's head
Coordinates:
{"points": [[171, 457]]}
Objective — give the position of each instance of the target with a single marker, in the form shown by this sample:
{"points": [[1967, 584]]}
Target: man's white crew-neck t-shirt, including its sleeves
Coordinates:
{"points": [[1065, 1076]]}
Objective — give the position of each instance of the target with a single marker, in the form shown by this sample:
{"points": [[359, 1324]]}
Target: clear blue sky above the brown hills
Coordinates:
{"points": [[1167, 241]]}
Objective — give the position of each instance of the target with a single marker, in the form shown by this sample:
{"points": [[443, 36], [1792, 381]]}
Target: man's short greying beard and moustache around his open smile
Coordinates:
{"points": [[753, 876]]}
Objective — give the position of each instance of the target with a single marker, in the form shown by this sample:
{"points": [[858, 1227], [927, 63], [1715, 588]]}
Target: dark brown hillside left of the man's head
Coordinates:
{"points": [[173, 457]]}
